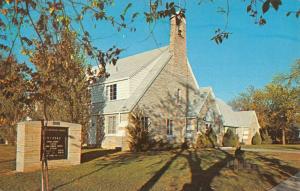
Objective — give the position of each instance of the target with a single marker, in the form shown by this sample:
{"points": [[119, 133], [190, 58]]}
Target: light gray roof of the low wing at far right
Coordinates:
{"points": [[235, 118]]}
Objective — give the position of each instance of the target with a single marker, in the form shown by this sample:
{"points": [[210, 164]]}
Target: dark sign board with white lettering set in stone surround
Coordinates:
{"points": [[56, 143]]}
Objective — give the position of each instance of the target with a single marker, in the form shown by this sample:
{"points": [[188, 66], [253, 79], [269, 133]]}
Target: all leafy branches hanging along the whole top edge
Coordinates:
{"points": [[34, 24]]}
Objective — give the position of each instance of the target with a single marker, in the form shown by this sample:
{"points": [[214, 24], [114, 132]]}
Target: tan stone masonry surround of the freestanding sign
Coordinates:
{"points": [[29, 145]]}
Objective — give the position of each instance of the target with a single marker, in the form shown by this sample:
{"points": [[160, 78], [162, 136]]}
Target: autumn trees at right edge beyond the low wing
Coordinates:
{"points": [[277, 106]]}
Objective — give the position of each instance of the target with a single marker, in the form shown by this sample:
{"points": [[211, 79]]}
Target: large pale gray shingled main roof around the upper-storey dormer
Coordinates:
{"points": [[127, 68]]}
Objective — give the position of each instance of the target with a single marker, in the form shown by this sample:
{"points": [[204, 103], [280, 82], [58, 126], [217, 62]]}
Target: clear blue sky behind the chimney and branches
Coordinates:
{"points": [[251, 56]]}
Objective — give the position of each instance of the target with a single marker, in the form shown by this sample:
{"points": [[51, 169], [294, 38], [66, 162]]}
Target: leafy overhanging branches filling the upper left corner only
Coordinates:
{"points": [[34, 24]]}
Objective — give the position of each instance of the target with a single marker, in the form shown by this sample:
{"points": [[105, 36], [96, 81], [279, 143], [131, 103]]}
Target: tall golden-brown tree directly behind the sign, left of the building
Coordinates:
{"points": [[65, 81]]}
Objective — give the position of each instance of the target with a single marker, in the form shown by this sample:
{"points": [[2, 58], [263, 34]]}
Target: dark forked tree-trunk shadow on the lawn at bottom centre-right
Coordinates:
{"points": [[201, 179]]}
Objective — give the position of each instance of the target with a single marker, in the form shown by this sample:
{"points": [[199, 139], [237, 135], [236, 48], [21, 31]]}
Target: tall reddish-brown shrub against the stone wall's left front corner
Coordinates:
{"points": [[139, 137]]}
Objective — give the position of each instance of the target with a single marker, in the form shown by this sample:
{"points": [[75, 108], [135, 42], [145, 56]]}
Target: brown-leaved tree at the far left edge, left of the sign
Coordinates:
{"points": [[14, 103]]}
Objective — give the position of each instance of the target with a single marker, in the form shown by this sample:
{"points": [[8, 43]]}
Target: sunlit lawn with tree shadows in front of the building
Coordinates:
{"points": [[165, 170]]}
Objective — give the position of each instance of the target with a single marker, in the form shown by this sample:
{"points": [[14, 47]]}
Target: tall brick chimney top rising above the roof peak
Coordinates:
{"points": [[178, 38]]}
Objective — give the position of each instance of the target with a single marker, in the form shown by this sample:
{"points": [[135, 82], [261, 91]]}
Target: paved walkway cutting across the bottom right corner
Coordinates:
{"points": [[291, 184]]}
